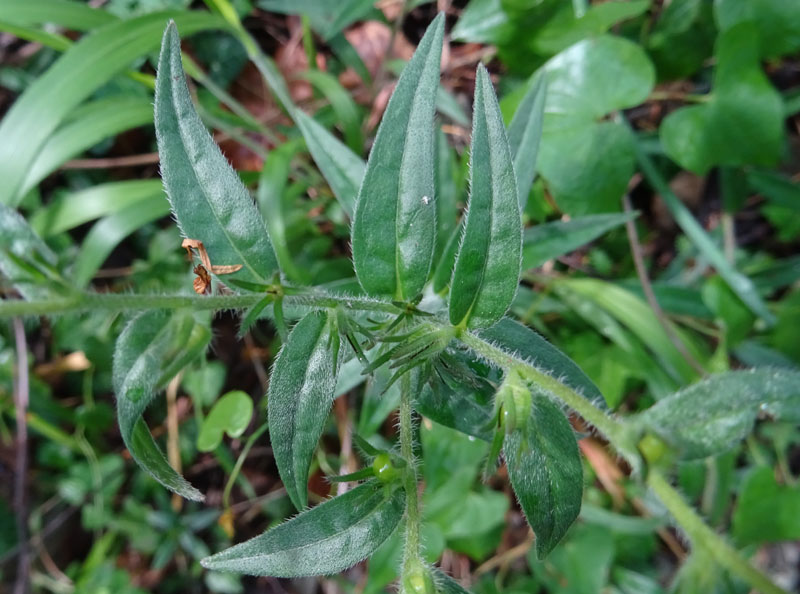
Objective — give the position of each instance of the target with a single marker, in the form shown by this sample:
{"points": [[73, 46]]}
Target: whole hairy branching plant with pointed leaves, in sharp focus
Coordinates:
{"points": [[442, 349]]}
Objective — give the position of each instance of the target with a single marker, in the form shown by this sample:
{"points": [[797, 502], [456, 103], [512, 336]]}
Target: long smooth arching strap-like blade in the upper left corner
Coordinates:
{"points": [[80, 71]]}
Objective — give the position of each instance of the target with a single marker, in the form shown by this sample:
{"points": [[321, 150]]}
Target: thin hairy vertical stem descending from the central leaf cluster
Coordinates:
{"points": [[412, 550]]}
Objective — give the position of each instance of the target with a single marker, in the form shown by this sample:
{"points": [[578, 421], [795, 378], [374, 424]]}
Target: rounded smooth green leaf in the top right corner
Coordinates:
{"points": [[777, 23]]}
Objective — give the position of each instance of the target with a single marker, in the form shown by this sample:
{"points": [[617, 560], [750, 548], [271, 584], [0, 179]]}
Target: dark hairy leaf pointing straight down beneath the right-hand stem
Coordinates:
{"points": [[545, 469]]}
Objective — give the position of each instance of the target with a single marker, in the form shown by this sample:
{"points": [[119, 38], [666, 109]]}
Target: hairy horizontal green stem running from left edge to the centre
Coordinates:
{"points": [[132, 302]]}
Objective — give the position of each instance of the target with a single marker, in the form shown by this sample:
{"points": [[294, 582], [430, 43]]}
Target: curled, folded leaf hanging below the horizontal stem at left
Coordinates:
{"points": [[153, 347]]}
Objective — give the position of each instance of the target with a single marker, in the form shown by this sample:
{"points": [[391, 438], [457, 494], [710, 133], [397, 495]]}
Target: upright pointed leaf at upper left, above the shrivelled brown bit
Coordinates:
{"points": [[207, 197]]}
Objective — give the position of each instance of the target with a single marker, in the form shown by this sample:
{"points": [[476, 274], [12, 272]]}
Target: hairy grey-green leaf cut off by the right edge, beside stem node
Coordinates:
{"points": [[711, 416]]}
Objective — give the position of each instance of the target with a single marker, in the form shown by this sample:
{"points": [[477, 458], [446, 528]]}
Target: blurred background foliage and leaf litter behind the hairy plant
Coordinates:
{"points": [[687, 108]]}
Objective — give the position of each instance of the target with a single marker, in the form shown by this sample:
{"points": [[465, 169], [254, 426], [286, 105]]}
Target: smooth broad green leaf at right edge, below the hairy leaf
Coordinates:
{"points": [[766, 511]]}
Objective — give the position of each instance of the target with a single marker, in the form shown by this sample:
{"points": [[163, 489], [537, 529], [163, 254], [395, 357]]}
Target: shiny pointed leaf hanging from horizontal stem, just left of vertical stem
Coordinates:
{"points": [[301, 392]]}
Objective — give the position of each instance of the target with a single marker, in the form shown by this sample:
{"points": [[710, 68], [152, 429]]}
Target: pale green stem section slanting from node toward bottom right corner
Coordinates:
{"points": [[702, 536]]}
